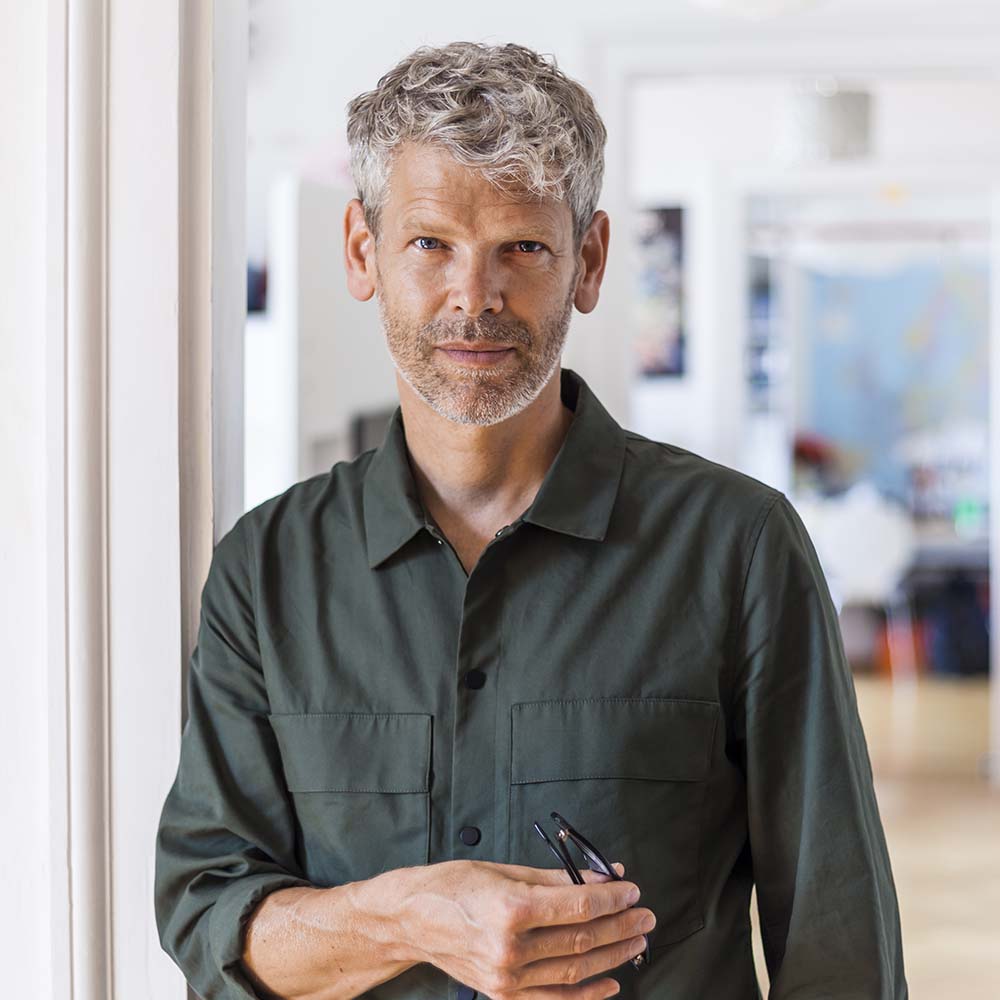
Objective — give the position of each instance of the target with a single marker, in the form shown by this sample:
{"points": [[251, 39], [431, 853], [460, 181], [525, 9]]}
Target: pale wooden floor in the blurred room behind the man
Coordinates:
{"points": [[928, 744]]}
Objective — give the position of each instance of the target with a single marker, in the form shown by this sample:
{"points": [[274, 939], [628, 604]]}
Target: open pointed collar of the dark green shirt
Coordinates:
{"points": [[576, 495]]}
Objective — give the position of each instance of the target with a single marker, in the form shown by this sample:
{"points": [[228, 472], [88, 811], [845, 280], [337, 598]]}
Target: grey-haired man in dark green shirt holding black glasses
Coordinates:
{"points": [[514, 607]]}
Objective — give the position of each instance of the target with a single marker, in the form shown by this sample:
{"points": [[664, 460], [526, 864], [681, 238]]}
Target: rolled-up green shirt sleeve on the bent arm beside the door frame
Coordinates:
{"points": [[227, 829]]}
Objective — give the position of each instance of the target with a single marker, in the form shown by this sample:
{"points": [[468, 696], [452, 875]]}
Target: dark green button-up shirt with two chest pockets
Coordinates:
{"points": [[650, 649]]}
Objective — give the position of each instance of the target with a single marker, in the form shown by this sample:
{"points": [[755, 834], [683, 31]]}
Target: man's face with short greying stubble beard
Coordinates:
{"points": [[461, 263]]}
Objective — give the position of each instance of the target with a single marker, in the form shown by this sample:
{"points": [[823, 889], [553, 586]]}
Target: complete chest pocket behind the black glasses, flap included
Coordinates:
{"points": [[630, 775]]}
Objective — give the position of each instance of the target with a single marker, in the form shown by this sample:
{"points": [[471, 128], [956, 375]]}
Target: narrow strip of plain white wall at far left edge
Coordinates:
{"points": [[24, 916]]}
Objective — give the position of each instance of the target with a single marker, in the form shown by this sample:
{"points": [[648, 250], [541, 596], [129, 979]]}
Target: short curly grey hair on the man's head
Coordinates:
{"points": [[503, 110]]}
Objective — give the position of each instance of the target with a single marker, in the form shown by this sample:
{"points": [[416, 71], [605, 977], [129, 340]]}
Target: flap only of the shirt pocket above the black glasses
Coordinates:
{"points": [[661, 739]]}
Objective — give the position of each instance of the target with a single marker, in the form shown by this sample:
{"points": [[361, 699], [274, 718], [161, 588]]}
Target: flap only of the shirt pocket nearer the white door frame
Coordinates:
{"points": [[355, 751]]}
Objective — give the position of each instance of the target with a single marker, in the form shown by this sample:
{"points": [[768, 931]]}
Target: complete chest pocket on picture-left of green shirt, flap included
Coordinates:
{"points": [[360, 784]]}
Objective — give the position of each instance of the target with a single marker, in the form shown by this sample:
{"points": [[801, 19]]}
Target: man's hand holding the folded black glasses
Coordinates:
{"points": [[512, 931]]}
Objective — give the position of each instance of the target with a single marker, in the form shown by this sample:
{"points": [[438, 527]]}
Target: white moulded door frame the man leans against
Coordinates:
{"points": [[145, 265]]}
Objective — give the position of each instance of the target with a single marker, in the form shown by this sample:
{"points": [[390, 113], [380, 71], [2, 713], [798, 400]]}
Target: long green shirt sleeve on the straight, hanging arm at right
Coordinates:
{"points": [[825, 893]]}
